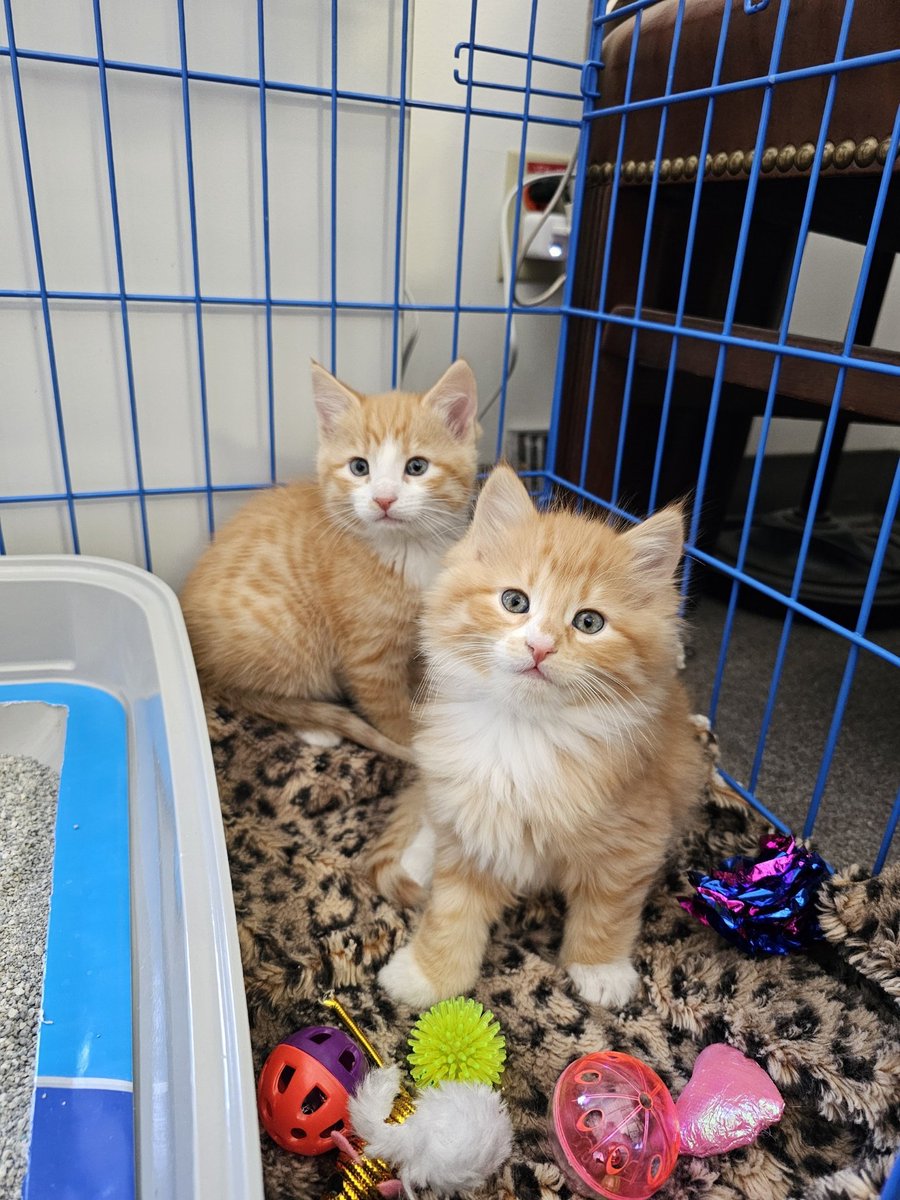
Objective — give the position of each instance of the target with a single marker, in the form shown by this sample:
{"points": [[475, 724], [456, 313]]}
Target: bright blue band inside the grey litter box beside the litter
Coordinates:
{"points": [[83, 1132]]}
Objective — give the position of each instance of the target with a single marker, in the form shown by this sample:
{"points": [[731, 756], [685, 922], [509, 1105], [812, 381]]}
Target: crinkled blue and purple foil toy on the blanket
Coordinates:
{"points": [[764, 905]]}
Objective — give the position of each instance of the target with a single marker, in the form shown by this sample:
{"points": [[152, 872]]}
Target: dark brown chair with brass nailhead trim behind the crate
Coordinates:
{"points": [[866, 105]]}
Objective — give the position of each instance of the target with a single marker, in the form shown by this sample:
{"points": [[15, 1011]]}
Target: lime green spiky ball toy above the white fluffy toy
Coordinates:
{"points": [[457, 1040]]}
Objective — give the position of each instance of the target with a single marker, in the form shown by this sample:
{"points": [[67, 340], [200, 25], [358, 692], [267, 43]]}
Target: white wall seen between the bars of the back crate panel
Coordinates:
{"points": [[67, 141]]}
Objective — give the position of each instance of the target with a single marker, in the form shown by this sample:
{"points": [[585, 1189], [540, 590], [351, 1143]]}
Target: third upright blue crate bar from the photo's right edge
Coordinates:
{"points": [[827, 435]]}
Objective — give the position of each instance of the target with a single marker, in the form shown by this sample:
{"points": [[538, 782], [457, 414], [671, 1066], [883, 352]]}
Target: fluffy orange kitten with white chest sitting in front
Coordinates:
{"points": [[555, 743]]}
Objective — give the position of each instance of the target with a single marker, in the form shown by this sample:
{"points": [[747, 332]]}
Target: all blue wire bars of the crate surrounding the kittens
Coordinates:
{"points": [[484, 95]]}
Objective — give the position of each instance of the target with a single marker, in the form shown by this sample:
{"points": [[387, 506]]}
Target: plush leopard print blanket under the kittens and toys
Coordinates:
{"points": [[825, 1027]]}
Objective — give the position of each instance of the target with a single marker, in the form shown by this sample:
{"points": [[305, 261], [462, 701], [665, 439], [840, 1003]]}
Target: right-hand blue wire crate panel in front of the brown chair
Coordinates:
{"points": [[719, 141]]}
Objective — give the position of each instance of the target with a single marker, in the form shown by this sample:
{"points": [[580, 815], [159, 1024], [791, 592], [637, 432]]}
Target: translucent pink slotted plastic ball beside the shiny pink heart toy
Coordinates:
{"points": [[614, 1126]]}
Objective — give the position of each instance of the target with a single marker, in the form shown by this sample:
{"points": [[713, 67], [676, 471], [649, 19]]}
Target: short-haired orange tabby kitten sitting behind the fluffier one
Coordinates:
{"points": [[311, 593]]}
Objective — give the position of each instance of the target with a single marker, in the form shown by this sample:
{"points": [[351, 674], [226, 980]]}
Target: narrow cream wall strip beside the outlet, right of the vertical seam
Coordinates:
{"points": [[436, 157]]}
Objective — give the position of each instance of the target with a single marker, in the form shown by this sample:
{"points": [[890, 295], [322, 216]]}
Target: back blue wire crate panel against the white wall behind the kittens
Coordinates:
{"points": [[196, 201]]}
